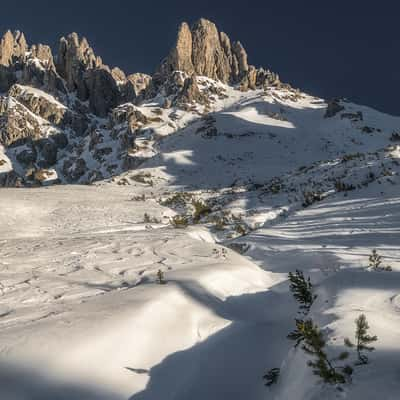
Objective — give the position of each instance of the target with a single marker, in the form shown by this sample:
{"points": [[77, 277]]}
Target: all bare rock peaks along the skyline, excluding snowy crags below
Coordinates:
{"points": [[76, 69]]}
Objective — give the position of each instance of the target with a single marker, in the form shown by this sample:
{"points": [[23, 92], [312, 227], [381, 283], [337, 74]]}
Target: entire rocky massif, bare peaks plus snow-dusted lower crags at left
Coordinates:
{"points": [[54, 104]]}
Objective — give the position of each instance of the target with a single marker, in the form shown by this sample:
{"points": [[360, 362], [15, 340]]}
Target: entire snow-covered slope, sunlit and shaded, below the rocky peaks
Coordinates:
{"points": [[267, 184]]}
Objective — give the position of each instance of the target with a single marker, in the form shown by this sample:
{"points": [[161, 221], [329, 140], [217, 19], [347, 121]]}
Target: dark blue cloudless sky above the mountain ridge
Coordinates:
{"points": [[328, 48]]}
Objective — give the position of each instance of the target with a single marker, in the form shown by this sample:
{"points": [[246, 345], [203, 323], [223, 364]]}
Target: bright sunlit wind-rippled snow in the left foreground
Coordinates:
{"points": [[79, 299]]}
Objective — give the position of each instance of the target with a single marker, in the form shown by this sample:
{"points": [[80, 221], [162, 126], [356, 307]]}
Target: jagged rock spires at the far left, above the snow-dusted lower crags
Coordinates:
{"points": [[76, 69]]}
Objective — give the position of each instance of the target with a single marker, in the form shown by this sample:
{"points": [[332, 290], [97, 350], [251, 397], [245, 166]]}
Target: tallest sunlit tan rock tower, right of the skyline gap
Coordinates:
{"points": [[204, 51]]}
